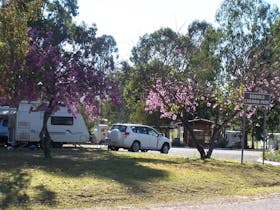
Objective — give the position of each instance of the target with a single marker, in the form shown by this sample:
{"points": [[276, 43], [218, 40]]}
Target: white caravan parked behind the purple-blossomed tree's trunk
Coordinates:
{"points": [[62, 126]]}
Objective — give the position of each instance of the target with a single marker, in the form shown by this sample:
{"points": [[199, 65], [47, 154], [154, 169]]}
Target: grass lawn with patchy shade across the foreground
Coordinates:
{"points": [[84, 178]]}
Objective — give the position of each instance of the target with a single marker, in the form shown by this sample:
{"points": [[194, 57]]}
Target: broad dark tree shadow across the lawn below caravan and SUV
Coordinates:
{"points": [[124, 169]]}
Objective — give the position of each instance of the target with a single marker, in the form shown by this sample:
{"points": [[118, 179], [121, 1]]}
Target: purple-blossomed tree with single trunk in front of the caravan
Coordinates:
{"points": [[53, 75]]}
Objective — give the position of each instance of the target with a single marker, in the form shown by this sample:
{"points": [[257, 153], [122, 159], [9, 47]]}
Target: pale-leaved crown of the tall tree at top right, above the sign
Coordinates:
{"points": [[245, 26]]}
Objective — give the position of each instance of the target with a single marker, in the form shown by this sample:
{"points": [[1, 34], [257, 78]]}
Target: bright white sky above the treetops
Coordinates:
{"points": [[128, 20]]}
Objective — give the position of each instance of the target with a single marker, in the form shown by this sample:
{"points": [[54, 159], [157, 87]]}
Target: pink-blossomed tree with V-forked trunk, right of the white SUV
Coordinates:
{"points": [[184, 101]]}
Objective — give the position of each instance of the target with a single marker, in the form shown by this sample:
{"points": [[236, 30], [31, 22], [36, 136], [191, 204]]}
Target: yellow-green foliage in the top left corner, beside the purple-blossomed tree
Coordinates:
{"points": [[14, 42]]}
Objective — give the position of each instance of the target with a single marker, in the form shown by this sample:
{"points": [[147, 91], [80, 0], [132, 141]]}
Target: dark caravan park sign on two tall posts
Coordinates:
{"points": [[254, 99]]}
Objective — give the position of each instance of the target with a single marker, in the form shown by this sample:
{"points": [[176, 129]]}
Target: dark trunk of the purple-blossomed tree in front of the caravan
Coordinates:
{"points": [[45, 139]]}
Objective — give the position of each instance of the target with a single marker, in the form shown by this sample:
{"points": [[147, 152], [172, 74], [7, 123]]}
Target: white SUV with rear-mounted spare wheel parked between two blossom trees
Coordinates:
{"points": [[135, 137]]}
